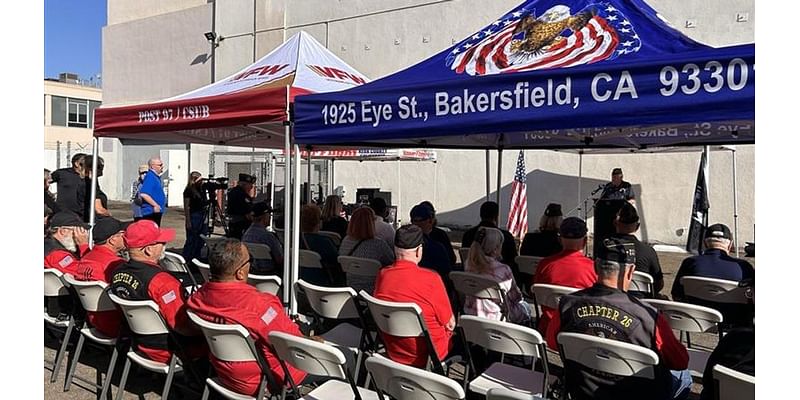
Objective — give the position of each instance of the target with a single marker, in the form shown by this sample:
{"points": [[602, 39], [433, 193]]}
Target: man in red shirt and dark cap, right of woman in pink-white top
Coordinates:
{"points": [[568, 267]]}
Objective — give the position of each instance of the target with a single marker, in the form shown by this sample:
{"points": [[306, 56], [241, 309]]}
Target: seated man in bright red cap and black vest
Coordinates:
{"points": [[142, 278]]}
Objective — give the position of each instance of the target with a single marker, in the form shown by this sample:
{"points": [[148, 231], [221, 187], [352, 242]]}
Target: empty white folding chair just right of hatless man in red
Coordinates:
{"points": [[318, 359]]}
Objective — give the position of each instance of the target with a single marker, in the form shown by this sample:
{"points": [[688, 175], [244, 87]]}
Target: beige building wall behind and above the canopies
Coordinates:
{"points": [[153, 50]]}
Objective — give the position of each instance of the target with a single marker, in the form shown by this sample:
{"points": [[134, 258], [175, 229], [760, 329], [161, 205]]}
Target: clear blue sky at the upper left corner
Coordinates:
{"points": [[72, 37]]}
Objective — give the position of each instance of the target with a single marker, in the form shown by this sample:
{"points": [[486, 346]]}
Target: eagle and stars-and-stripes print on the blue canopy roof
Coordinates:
{"points": [[522, 41]]}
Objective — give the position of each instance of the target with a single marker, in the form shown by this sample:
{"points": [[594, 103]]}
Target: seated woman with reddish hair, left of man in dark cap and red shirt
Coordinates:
{"points": [[361, 242]]}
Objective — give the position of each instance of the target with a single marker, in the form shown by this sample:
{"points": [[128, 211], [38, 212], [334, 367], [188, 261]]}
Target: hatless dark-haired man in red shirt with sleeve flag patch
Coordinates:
{"points": [[228, 299]]}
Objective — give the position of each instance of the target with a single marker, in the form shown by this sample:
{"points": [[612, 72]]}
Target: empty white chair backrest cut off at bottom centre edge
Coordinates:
{"points": [[403, 382]]}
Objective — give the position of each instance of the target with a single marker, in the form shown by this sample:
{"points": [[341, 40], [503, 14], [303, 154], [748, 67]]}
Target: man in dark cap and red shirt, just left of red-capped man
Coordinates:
{"points": [[98, 264]]}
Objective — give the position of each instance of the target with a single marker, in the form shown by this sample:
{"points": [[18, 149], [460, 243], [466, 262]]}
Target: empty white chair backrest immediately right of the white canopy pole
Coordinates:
{"points": [[327, 302]]}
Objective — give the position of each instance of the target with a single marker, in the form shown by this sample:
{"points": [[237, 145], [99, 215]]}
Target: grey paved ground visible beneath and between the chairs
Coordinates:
{"points": [[143, 385]]}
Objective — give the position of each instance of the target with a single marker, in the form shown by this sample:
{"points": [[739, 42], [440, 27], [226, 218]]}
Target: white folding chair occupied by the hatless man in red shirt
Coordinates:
{"points": [[232, 343]]}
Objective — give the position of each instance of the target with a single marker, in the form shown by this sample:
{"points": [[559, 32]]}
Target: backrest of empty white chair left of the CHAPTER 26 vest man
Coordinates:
{"points": [[502, 337]]}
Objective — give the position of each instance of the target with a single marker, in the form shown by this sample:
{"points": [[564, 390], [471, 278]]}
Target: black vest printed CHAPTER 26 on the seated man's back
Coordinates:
{"points": [[613, 314]]}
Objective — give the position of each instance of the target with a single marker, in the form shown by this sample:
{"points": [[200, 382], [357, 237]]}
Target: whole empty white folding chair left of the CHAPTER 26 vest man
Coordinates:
{"points": [[505, 338]]}
